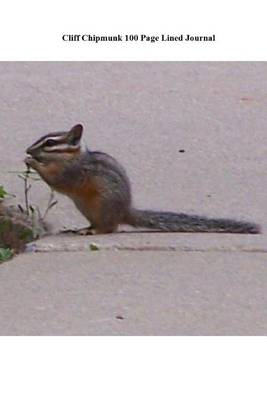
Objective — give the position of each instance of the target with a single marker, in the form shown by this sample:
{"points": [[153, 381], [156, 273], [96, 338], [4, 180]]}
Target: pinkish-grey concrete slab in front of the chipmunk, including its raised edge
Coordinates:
{"points": [[170, 284]]}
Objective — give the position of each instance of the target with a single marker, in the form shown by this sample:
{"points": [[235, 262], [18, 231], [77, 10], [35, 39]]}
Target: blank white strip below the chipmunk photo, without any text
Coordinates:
{"points": [[133, 368]]}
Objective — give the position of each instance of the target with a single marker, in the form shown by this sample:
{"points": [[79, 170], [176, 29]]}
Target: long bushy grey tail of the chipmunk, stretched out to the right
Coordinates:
{"points": [[174, 222]]}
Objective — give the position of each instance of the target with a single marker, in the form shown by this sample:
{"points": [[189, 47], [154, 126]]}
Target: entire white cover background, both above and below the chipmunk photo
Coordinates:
{"points": [[133, 368]]}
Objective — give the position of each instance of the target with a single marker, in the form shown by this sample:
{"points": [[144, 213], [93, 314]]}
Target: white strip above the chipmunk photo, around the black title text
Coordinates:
{"points": [[33, 30]]}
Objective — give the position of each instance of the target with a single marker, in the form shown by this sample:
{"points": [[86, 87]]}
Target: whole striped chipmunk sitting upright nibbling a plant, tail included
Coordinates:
{"points": [[100, 189]]}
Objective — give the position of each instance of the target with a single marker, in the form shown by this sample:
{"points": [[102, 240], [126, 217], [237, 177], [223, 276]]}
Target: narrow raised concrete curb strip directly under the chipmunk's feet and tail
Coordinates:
{"points": [[143, 241]]}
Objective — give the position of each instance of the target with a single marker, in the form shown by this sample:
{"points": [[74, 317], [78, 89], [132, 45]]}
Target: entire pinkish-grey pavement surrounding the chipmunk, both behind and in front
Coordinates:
{"points": [[141, 283]]}
